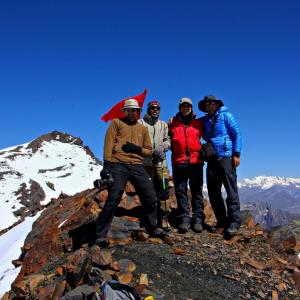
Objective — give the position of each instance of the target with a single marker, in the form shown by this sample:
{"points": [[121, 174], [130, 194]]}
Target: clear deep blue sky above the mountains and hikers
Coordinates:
{"points": [[64, 63]]}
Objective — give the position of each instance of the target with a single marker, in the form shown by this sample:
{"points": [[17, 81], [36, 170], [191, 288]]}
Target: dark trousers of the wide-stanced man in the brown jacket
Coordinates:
{"points": [[144, 188]]}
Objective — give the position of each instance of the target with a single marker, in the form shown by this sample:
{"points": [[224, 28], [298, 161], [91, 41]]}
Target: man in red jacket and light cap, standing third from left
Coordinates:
{"points": [[185, 133]]}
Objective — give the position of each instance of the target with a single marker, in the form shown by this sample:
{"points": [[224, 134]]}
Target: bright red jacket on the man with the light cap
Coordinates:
{"points": [[185, 140]]}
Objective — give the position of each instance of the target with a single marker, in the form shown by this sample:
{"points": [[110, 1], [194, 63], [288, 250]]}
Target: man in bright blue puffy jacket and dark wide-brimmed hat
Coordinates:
{"points": [[222, 130]]}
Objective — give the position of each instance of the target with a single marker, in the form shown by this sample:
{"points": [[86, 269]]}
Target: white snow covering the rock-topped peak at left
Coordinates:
{"points": [[57, 167]]}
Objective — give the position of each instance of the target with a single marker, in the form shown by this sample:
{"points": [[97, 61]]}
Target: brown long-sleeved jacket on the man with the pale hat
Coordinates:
{"points": [[119, 133]]}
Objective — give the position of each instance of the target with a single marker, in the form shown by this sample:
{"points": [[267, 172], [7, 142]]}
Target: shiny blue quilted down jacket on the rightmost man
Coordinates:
{"points": [[227, 138]]}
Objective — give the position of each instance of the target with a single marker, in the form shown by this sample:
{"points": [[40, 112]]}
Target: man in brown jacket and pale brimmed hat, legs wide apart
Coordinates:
{"points": [[126, 144]]}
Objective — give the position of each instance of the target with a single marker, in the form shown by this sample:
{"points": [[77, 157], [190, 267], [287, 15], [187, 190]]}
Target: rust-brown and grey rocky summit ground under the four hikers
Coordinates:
{"points": [[60, 260]]}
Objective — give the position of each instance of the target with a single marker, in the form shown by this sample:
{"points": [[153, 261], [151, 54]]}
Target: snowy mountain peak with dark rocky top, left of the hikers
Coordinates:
{"points": [[33, 173]]}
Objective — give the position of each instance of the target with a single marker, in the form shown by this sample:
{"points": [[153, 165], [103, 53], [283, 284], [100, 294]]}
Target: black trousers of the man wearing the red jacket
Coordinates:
{"points": [[192, 173]]}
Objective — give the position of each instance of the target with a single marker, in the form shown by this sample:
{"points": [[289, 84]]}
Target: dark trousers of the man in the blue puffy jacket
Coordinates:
{"points": [[221, 171]]}
